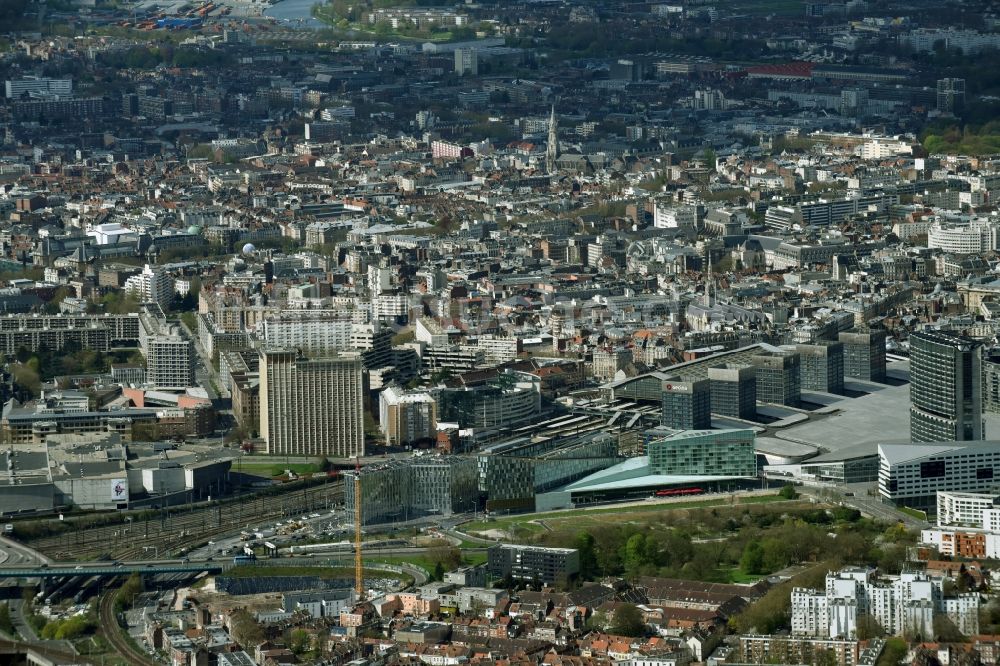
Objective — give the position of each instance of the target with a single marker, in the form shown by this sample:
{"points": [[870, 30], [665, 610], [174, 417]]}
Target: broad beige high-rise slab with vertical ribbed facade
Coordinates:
{"points": [[311, 406]]}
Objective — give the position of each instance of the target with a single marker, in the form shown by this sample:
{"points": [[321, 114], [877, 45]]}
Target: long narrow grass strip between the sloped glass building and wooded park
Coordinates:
{"points": [[586, 517]]}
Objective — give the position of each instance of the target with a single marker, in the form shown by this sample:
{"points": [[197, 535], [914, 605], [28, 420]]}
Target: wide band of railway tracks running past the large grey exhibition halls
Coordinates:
{"points": [[132, 539]]}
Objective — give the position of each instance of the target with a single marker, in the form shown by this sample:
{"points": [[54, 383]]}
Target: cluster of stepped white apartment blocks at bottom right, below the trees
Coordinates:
{"points": [[900, 604]]}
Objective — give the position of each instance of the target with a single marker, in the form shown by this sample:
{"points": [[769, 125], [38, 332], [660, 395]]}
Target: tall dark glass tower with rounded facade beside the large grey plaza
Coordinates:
{"points": [[946, 403]]}
